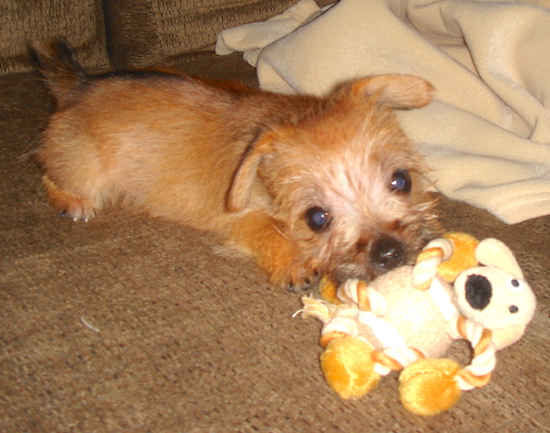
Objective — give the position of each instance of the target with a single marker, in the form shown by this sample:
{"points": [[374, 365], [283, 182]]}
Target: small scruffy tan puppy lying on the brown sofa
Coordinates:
{"points": [[304, 185]]}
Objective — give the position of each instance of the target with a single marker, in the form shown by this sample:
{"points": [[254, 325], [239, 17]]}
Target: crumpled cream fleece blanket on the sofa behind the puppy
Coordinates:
{"points": [[486, 137]]}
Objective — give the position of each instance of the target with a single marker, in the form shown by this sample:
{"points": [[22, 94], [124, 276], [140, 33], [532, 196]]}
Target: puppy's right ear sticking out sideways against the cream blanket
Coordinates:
{"points": [[396, 91]]}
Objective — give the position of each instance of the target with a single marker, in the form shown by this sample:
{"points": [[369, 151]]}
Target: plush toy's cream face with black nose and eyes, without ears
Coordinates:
{"points": [[494, 298]]}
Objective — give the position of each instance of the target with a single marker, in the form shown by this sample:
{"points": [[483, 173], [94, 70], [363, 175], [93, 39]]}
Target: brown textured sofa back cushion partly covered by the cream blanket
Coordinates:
{"points": [[146, 32]]}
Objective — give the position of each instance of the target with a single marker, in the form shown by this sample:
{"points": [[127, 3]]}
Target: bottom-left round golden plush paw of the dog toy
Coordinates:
{"points": [[348, 367]]}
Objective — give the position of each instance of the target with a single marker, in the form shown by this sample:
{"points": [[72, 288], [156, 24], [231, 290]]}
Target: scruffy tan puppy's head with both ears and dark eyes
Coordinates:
{"points": [[343, 181]]}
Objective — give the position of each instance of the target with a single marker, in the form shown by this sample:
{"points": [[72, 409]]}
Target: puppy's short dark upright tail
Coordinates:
{"points": [[57, 64]]}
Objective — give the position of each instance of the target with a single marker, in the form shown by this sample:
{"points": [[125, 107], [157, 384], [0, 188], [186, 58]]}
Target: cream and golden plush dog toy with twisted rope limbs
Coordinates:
{"points": [[407, 319]]}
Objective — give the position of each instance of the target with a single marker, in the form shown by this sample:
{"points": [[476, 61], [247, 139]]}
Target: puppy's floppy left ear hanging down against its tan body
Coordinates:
{"points": [[241, 188]]}
